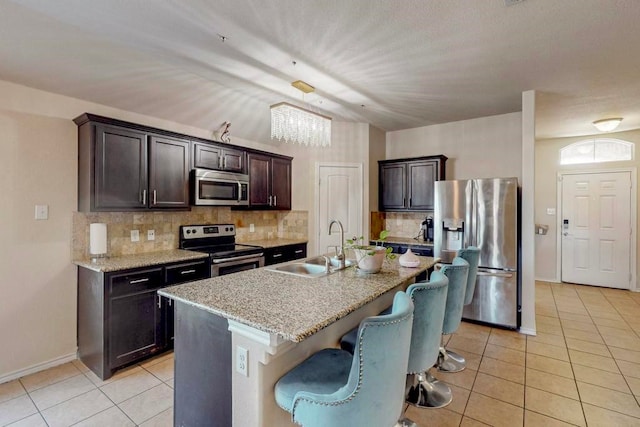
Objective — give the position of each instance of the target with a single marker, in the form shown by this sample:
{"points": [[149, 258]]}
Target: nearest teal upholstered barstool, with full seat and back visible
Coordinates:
{"points": [[334, 388]]}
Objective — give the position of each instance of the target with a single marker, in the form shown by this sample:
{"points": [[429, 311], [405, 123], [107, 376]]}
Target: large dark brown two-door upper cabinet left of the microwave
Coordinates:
{"points": [[125, 167]]}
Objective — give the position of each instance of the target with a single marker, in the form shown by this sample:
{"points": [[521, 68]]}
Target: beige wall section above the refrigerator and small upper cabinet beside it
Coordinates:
{"points": [[477, 148]]}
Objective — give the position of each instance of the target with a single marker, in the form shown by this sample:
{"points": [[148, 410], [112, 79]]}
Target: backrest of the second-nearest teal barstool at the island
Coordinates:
{"points": [[429, 300]]}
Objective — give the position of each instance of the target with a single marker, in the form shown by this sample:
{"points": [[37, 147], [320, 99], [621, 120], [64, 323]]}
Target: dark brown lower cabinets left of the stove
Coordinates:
{"points": [[122, 319]]}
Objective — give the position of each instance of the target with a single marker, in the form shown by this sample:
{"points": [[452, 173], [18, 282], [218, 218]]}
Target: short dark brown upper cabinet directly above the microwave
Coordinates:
{"points": [[208, 155]]}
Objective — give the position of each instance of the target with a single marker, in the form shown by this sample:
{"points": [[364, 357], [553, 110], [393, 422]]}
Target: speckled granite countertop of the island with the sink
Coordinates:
{"points": [[292, 307]]}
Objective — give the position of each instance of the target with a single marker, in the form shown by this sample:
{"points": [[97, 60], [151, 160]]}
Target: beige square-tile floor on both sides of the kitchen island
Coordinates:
{"points": [[582, 368]]}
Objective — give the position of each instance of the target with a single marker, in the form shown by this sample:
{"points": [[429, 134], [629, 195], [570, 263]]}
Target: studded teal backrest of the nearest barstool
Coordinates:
{"points": [[374, 393]]}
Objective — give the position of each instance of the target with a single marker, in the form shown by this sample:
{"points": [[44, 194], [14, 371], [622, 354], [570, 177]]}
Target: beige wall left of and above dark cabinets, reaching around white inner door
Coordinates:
{"points": [[38, 165]]}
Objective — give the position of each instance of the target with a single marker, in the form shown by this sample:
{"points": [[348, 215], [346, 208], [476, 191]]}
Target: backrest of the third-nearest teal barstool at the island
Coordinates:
{"points": [[457, 273]]}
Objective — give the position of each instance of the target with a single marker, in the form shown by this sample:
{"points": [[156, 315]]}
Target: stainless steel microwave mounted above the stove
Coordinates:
{"points": [[217, 188]]}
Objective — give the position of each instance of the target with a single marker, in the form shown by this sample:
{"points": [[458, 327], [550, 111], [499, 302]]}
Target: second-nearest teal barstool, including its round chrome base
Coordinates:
{"points": [[429, 299]]}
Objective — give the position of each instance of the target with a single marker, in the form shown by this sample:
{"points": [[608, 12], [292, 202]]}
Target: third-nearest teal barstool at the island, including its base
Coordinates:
{"points": [[457, 273]]}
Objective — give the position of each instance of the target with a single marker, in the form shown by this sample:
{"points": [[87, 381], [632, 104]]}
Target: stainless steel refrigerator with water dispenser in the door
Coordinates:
{"points": [[483, 213]]}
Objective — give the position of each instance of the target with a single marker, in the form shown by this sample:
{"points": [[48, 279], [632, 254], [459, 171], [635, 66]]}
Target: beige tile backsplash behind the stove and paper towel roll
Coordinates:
{"points": [[267, 224]]}
